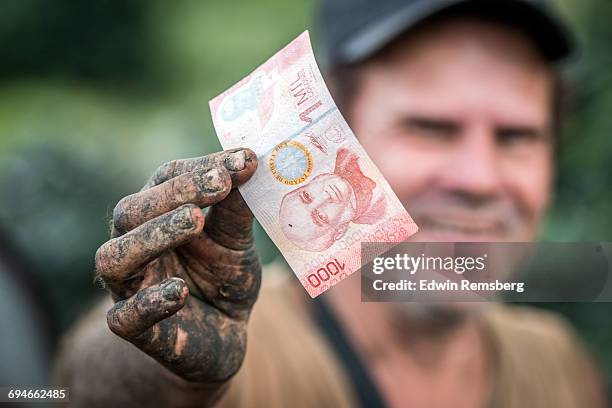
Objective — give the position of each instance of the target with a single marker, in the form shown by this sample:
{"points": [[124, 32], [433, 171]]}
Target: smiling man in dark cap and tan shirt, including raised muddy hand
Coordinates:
{"points": [[455, 101]]}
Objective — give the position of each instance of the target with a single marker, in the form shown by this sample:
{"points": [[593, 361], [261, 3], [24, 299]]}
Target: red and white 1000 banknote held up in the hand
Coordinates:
{"points": [[316, 192]]}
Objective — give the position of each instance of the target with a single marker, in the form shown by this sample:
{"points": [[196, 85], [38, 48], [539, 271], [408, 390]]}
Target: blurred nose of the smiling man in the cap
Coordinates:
{"points": [[473, 168]]}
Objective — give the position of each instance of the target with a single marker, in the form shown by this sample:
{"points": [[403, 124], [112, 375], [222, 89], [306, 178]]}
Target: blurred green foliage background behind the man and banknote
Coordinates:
{"points": [[95, 95]]}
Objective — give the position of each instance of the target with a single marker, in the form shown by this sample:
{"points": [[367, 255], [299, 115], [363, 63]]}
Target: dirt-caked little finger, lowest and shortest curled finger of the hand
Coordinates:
{"points": [[130, 318]]}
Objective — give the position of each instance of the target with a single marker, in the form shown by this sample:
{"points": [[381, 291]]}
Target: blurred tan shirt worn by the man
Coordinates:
{"points": [[538, 361]]}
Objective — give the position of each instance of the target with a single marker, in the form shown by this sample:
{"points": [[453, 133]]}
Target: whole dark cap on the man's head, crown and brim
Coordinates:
{"points": [[353, 30]]}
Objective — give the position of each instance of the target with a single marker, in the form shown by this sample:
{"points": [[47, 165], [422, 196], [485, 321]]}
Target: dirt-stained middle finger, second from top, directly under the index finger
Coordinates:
{"points": [[202, 187]]}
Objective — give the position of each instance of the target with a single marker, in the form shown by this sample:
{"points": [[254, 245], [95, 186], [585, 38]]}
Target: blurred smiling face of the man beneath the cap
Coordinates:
{"points": [[458, 119]]}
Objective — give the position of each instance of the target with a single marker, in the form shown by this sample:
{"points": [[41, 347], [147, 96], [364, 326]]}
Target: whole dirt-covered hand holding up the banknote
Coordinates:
{"points": [[184, 282]]}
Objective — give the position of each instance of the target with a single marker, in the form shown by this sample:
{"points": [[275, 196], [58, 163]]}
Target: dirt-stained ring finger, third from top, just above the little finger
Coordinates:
{"points": [[120, 257]]}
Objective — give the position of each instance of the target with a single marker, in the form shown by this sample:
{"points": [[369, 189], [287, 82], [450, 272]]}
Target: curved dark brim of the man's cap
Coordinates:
{"points": [[550, 34]]}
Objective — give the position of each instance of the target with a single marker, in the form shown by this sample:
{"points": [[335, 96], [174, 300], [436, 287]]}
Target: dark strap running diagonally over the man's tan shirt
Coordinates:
{"points": [[365, 389]]}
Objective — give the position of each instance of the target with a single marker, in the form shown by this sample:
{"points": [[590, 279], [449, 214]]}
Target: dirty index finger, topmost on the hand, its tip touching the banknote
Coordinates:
{"points": [[240, 163]]}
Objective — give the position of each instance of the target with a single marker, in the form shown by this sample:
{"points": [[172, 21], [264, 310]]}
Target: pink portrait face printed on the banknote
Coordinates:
{"points": [[316, 214]]}
